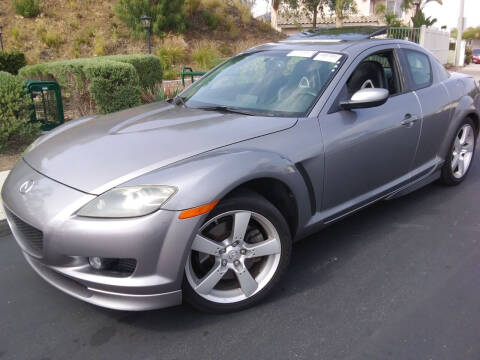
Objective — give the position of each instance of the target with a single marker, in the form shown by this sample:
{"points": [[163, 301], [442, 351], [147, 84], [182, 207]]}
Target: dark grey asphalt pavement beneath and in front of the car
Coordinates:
{"points": [[399, 280]]}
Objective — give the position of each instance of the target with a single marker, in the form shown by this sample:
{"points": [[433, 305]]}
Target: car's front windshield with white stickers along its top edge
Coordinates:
{"points": [[275, 83]]}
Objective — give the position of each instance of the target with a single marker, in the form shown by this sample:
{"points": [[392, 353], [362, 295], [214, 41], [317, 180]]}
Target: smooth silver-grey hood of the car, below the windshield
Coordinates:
{"points": [[97, 153]]}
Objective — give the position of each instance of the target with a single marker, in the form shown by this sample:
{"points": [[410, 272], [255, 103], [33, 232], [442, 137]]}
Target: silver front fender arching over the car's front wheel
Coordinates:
{"points": [[210, 176]]}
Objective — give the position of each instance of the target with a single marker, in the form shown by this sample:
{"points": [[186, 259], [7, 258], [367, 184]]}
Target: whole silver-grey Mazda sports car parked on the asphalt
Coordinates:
{"points": [[202, 196]]}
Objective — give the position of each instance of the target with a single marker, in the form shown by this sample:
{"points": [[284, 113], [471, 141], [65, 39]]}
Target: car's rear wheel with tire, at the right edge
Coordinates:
{"points": [[452, 174]]}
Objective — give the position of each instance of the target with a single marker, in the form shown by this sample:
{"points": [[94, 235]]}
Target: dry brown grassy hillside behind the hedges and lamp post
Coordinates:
{"points": [[85, 28]]}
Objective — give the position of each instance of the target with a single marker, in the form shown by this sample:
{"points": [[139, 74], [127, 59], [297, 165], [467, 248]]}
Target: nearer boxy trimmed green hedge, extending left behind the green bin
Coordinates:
{"points": [[91, 85]]}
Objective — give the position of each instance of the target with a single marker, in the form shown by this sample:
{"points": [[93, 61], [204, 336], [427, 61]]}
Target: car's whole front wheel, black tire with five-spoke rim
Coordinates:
{"points": [[230, 266]]}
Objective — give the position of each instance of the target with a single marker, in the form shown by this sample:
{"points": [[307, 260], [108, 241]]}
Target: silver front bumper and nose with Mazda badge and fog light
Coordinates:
{"points": [[158, 242]]}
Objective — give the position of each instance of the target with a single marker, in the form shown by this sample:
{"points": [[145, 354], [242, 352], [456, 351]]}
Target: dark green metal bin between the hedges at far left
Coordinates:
{"points": [[47, 103]]}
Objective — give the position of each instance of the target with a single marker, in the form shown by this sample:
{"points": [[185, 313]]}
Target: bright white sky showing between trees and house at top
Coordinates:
{"points": [[447, 14]]}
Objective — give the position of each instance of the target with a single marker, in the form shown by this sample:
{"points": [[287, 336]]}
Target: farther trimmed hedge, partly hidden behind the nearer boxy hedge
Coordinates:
{"points": [[149, 68]]}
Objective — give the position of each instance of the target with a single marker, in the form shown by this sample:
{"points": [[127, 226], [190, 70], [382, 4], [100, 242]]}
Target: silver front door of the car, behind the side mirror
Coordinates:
{"points": [[369, 151]]}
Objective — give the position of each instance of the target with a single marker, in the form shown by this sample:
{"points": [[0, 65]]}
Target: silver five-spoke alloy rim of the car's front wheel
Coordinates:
{"points": [[233, 256]]}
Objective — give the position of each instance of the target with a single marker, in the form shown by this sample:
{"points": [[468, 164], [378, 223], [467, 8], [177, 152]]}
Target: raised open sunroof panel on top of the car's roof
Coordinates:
{"points": [[339, 34]]}
